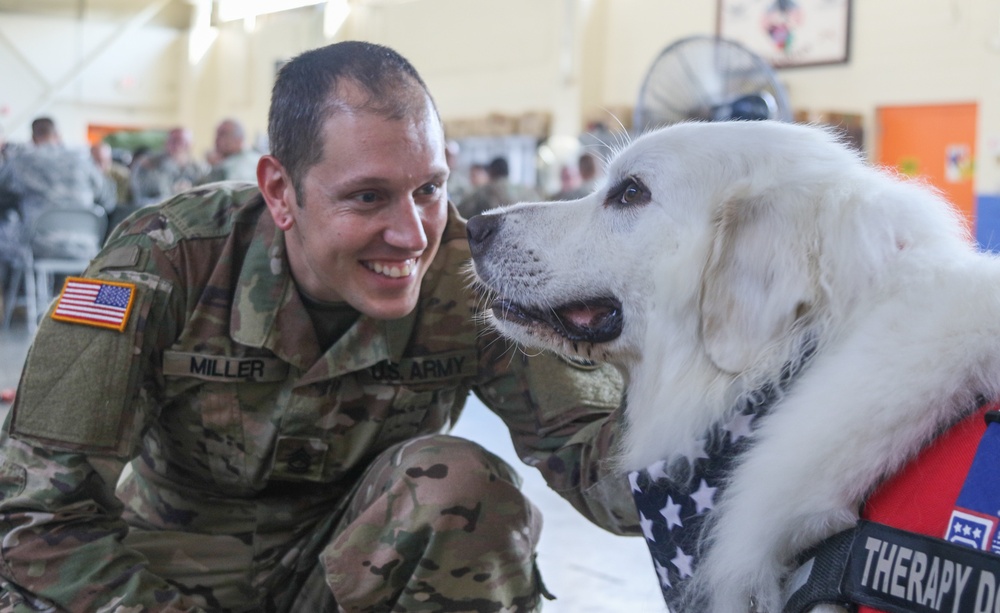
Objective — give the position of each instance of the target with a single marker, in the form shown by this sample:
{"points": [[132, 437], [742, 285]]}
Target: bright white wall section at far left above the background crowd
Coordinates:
{"points": [[86, 73]]}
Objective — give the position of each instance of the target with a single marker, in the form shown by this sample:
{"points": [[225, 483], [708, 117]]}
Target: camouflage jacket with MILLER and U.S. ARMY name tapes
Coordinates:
{"points": [[233, 421]]}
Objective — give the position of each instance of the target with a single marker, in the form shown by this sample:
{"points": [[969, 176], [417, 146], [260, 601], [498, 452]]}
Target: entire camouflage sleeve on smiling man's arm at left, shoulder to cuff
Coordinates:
{"points": [[85, 396]]}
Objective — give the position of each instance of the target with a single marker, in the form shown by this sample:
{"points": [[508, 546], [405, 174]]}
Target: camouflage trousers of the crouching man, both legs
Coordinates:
{"points": [[435, 524]]}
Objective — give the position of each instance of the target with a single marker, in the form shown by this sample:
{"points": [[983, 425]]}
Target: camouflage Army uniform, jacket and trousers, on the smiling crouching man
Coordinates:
{"points": [[264, 474]]}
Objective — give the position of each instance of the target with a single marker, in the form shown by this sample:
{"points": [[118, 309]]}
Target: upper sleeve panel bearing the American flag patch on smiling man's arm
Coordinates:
{"points": [[85, 383]]}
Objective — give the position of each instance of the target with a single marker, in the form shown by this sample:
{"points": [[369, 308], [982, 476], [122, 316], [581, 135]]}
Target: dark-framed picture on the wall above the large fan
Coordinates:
{"points": [[789, 33]]}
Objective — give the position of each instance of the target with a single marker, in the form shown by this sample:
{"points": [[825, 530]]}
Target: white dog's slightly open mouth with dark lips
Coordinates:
{"points": [[597, 320]]}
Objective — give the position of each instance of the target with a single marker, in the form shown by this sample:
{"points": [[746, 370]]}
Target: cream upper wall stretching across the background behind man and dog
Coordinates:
{"points": [[571, 58]]}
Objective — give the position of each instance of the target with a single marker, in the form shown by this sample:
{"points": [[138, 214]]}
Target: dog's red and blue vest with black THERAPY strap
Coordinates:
{"points": [[940, 552]]}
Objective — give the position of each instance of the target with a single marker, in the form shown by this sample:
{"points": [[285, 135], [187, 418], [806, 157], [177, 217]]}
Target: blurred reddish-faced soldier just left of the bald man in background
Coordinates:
{"points": [[157, 176]]}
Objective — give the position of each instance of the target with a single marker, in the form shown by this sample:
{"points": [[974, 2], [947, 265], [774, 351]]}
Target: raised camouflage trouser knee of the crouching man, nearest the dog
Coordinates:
{"points": [[438, 524]]}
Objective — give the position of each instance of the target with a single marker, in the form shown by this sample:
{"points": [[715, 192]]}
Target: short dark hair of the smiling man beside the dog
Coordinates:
{"points": [[305, 94]]}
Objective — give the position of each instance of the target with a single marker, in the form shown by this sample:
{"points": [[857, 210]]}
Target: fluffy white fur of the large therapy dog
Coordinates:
{"points": [[757, 238]]}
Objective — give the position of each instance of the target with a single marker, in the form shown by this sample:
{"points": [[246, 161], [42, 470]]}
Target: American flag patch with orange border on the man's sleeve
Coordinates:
{"points": [[105, 304]]}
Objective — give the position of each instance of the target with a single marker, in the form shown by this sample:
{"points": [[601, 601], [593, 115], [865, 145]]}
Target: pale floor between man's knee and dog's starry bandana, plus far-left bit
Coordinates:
{"points": [[589, 570]]}
